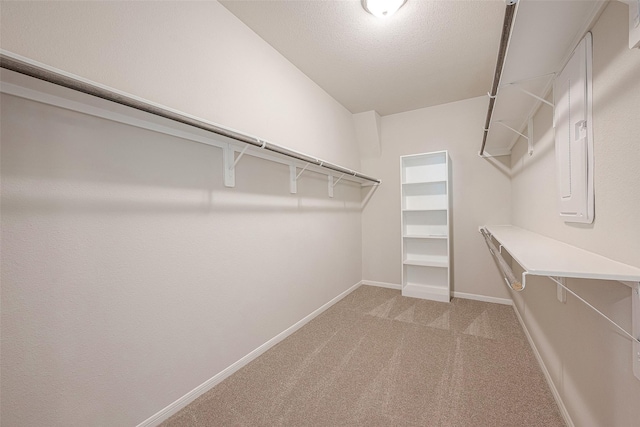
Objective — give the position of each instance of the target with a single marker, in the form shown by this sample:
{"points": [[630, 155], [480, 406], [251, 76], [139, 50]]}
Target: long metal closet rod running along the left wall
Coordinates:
{"points": [[23, 67]]}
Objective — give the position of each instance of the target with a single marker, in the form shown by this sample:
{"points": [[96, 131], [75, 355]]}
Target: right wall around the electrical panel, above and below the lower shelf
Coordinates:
{"points": [[588, 360]]}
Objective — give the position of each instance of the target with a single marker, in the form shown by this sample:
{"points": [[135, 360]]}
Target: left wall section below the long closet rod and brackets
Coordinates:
{"points": [[131, 275]]}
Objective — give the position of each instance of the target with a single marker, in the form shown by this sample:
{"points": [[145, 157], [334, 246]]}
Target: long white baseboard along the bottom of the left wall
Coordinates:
{"points": [[182, 402]]}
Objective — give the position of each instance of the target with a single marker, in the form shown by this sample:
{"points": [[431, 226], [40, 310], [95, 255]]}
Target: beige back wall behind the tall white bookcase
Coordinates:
{"points": [[480, 191]]}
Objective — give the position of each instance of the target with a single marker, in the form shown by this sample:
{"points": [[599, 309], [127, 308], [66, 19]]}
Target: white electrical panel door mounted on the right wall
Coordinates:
{"points": [[574, 136]]}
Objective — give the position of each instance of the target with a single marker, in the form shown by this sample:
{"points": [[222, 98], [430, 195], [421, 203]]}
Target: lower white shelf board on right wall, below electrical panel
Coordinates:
{"points": [[542, 256]]}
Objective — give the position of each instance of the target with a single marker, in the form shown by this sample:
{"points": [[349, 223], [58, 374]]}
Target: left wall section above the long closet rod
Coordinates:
{"points": [[192, 56]]}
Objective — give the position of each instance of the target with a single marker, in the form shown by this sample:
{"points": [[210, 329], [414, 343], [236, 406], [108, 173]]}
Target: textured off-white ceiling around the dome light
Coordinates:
{"points": [[428, 53]]}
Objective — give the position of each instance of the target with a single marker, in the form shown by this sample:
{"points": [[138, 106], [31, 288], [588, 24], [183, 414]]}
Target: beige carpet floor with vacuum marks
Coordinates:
{"points": [[377, 358]]}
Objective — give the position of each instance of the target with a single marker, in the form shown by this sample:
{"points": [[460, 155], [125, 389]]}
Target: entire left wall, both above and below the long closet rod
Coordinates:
{"points": [[130, 274]]}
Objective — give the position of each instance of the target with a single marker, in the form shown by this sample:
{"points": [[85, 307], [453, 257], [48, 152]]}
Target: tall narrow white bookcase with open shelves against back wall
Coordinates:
{"points": [[426, 226]]}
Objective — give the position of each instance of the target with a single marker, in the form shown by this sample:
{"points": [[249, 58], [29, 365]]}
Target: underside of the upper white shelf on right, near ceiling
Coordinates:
{"points": [[543, 35]]}
